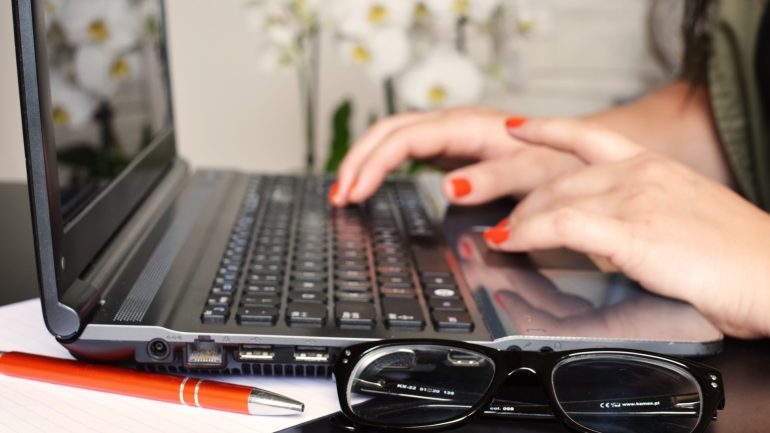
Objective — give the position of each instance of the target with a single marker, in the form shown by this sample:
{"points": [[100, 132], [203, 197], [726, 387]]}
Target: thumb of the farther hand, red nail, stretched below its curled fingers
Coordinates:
{"points": [[515, 175]]}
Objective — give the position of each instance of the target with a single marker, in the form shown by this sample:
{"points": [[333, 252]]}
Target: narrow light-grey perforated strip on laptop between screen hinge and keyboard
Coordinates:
{"points": [[145, 288]]}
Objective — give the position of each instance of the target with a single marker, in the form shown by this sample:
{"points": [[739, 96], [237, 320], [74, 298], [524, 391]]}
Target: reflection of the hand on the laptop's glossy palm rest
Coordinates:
{"points": [[561, 299]]}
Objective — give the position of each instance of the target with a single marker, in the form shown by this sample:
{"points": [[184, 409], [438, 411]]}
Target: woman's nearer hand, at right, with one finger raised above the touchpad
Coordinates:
{"points": [[673, 230]]}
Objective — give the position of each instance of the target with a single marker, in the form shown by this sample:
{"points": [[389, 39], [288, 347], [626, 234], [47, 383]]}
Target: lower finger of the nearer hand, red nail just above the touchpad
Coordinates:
{"points": [[576, 229]]}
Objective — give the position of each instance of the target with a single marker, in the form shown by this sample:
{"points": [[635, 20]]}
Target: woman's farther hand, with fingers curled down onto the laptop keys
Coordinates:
{"points": [[449, 137]]}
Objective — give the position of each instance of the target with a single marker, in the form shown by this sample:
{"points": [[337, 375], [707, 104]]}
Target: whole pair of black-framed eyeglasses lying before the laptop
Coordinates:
{"points": [[434, 384]]}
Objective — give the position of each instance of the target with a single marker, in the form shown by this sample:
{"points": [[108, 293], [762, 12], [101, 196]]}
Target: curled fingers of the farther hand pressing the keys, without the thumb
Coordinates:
{"points": [[459, 133]]}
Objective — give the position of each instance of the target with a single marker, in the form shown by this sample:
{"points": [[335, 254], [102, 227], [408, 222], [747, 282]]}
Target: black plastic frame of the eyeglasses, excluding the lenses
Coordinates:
{"points": [[542, 364]]}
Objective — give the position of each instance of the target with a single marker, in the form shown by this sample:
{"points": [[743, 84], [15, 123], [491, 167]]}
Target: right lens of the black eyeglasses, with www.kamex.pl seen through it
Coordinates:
{"points": [[618, 393]]}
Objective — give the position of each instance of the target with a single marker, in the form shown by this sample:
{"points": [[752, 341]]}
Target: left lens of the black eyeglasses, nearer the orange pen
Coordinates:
{"points": [[418, 385]]}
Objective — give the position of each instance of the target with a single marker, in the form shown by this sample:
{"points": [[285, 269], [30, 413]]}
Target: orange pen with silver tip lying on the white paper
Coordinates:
{"points": [[188, 391]]}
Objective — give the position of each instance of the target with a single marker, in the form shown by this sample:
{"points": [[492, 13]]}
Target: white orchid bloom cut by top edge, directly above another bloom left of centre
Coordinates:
{"points": [[359, 18]]}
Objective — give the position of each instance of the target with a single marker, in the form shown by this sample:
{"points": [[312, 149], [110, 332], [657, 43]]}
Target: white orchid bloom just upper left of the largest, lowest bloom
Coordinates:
{"points": [[383, 53]]}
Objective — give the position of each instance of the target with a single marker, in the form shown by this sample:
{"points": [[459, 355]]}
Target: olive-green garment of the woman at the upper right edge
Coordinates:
{"points": [[741, 123]]}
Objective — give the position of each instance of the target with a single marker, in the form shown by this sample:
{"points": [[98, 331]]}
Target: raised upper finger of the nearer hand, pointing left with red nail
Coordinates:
{"points": [[589, 142]]}
